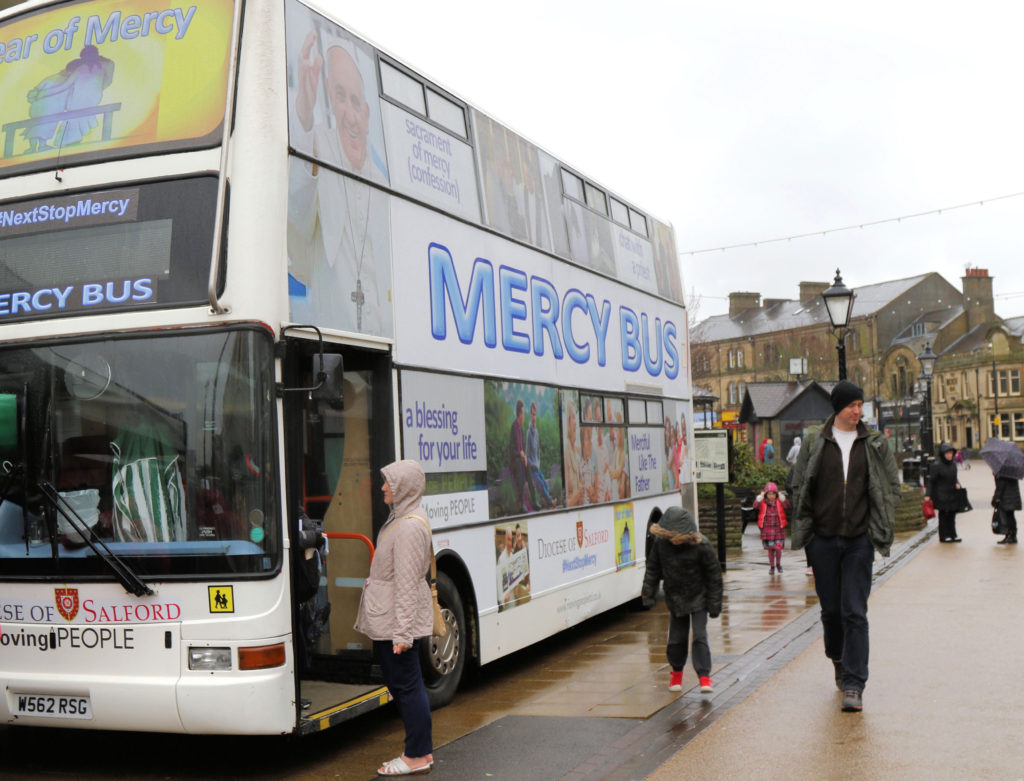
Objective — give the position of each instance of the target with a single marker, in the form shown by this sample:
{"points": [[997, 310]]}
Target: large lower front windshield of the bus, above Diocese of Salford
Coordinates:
{"points": [[158, 447]]}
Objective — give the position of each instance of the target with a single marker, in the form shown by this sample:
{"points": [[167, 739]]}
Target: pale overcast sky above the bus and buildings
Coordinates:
{"points": [[744, 122]]}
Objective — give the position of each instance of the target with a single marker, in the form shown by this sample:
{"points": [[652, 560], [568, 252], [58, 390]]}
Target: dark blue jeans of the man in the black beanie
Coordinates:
{"points": [[843, 581]]}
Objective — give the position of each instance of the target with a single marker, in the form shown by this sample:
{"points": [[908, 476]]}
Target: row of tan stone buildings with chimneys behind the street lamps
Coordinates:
{"points": [[782, 340]]}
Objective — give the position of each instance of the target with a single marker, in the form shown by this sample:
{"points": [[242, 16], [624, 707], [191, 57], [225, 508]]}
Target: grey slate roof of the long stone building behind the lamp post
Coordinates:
{"points": [[788, 315]]}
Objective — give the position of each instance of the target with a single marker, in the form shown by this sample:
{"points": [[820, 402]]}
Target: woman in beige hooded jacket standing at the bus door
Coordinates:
{"points": [[397, 610]]}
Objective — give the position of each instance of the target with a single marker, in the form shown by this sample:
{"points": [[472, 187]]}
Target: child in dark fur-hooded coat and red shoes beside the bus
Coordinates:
{"points": [[686, 560]]}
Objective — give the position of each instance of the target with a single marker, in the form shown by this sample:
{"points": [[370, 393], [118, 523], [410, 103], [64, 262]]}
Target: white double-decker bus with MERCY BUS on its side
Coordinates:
{"points": [[246, 261]]}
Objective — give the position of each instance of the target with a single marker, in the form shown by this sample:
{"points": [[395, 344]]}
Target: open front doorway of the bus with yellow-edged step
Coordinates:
{"points": [[337, 413]]}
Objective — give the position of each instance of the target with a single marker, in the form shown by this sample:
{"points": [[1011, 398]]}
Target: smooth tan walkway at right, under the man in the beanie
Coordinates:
{"points": [[944, 698]]}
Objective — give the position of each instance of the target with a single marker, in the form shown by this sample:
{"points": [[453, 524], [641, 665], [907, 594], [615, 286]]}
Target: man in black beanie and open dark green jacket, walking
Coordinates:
{"points": [[846, 487]]}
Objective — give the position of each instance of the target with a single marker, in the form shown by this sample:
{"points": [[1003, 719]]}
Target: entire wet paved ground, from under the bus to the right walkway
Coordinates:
{"points": [[592, 704]]}
